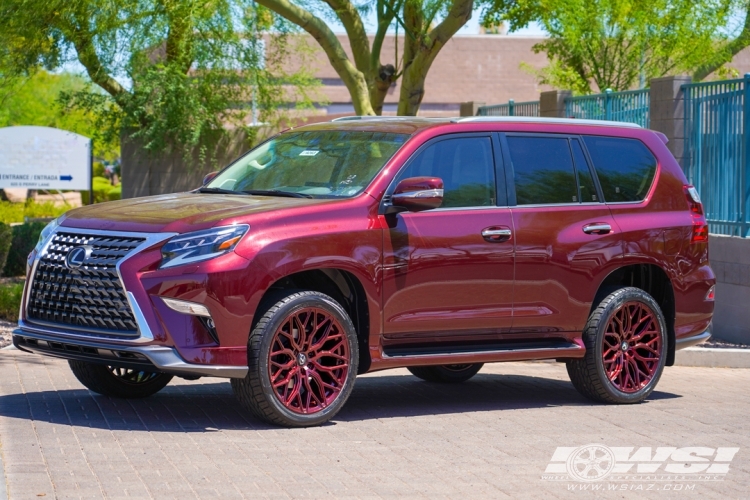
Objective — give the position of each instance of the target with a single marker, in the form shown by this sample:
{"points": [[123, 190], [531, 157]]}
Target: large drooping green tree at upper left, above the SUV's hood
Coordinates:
{"points": [[172, 72]]}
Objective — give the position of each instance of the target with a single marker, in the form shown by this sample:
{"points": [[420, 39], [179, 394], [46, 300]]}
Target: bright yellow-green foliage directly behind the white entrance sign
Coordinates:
{"points": [[35, 101]]}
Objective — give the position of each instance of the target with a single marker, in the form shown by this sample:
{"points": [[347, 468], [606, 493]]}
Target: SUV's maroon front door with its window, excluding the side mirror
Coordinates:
{"points": [[448, 272]]}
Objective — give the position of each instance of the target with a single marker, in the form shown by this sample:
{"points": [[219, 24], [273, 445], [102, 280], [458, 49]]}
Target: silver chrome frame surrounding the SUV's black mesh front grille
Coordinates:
{"points": [[150, 239]]}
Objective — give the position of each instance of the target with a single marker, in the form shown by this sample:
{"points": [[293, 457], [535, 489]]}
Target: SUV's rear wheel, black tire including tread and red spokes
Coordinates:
{"points": [[589, 375]]}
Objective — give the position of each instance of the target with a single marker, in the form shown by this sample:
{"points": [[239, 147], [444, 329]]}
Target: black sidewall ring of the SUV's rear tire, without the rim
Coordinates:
{"points": [[622, 296]]}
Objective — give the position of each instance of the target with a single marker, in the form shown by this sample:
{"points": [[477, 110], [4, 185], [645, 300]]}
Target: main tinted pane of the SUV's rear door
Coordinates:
{"points": [[542, 170]]}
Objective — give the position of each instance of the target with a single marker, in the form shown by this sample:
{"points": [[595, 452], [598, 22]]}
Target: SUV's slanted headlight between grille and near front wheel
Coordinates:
{"points": [[201, 245]]}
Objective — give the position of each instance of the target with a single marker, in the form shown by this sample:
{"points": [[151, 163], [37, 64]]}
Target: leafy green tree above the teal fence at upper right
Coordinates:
{"points": [[617, 44]]}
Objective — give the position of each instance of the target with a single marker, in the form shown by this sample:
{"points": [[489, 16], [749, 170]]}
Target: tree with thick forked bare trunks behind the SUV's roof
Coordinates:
{"points": [[366, 77]]}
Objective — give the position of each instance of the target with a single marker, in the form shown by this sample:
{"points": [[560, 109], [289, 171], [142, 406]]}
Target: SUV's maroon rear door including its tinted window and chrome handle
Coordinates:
{"points": [[564, 235]]}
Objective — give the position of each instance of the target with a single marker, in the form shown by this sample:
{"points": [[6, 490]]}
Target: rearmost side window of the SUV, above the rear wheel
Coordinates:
{"points": [[625, 167]]}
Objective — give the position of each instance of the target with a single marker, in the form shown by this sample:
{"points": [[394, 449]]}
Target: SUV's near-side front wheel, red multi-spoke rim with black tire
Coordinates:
{"points": [[302, 358]]}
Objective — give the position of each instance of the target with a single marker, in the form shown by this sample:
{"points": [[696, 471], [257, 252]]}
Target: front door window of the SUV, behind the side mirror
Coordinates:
{"points": [[466, 167]]}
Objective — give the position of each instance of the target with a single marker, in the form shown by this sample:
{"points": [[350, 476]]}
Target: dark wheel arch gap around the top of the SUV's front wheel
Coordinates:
{"points": [[342, 286]]}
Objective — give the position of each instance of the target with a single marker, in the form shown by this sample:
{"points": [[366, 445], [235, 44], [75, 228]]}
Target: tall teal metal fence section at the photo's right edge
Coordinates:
{"points": [[716, 151]]}
